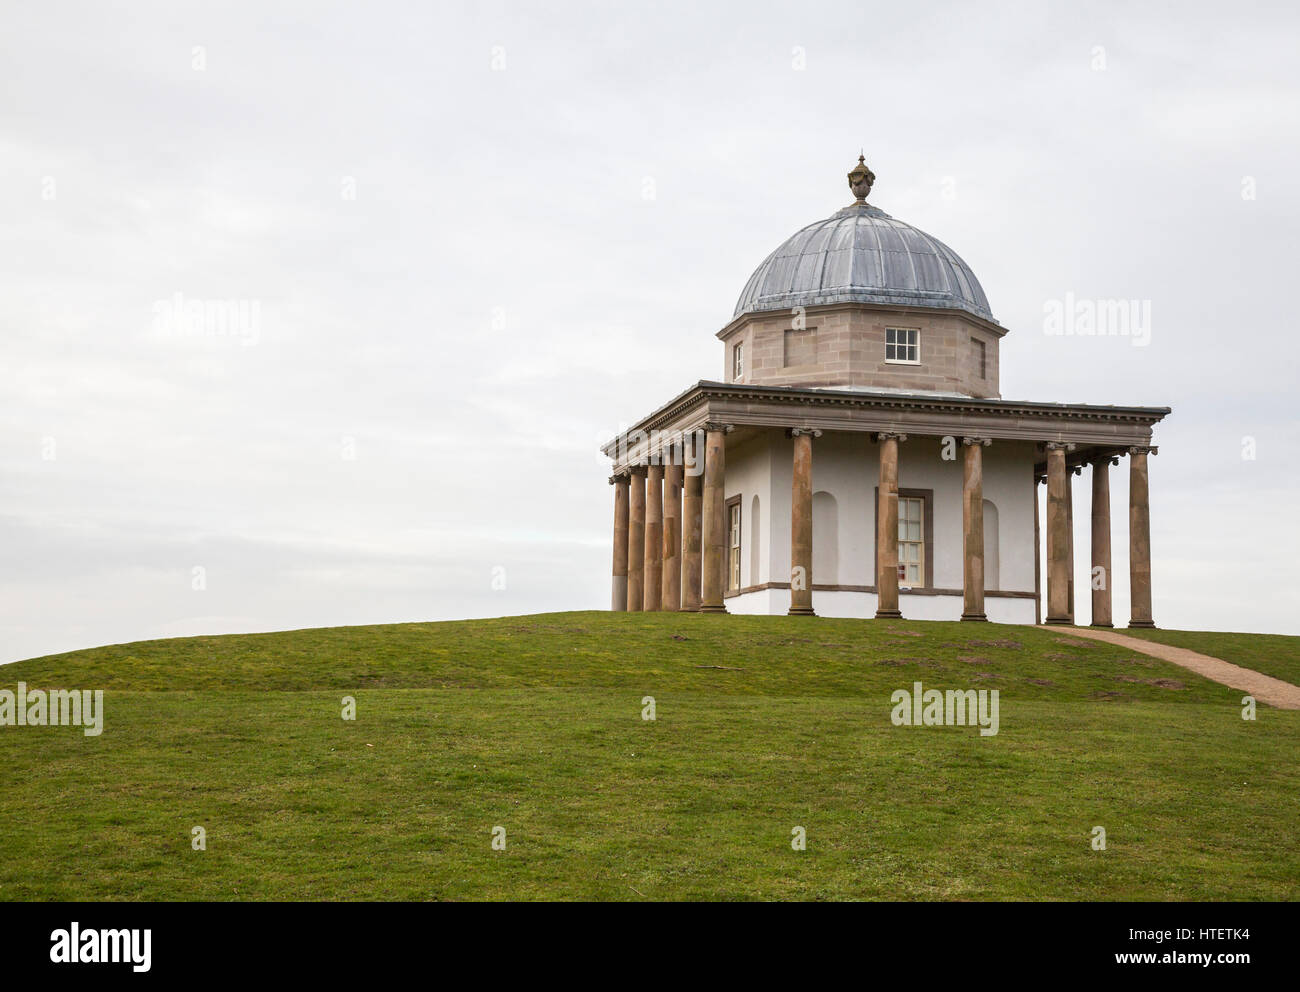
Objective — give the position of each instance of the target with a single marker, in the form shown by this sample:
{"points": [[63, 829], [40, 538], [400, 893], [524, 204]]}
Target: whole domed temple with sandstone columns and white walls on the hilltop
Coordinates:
{"points": [[859, 458]]}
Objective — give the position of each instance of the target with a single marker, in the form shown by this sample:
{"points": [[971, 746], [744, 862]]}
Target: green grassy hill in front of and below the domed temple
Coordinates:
{"points": [[536, 725]]}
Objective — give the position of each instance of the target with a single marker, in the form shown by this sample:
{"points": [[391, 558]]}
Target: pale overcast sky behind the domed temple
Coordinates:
{"points": [[501, 294]]}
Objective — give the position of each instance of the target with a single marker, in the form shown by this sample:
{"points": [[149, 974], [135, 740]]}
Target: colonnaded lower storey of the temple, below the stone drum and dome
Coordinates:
{"points": [[900, 445]]}
